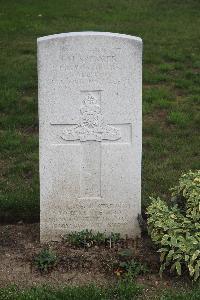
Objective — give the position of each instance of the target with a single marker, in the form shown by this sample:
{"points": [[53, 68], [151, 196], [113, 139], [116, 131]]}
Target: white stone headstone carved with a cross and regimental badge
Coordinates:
{"points": [[90, 133]]}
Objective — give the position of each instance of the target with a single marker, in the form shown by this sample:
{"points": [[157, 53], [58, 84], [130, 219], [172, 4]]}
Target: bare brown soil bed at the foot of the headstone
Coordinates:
{"points": [[20, 243]]}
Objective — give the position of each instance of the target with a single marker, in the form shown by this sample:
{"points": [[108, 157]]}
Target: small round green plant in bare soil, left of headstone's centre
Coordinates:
{"points": [[45, 260]]}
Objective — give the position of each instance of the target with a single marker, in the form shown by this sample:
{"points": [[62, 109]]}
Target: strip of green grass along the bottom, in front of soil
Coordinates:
{"points": [[123, 290]]}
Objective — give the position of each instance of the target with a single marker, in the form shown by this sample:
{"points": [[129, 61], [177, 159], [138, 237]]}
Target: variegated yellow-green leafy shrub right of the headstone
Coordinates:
{"points": [[175, 229]]}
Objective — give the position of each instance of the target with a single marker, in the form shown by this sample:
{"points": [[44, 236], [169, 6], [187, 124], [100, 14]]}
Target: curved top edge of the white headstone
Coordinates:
{"points": [[89, 33]]}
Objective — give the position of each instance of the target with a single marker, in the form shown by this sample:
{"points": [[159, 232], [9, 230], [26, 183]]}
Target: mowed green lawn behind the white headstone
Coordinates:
{"points": [[170, 30]]}
